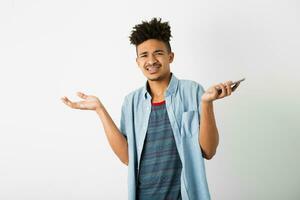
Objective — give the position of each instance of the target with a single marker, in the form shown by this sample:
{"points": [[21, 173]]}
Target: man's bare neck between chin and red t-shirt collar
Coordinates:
{"points": [[158, 88]]}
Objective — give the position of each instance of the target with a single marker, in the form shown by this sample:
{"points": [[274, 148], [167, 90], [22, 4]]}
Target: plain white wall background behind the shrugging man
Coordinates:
{"points": [[50, 49]]}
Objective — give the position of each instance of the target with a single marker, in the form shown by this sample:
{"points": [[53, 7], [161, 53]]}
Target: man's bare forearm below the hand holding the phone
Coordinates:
{"points": [[209, 137]]}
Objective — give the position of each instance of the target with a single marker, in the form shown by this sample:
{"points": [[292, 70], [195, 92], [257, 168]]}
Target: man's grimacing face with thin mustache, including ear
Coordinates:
{"points": [[154, 59]]}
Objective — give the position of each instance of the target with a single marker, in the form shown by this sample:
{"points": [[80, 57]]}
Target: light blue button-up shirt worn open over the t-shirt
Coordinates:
{"points": [[183, 103]]}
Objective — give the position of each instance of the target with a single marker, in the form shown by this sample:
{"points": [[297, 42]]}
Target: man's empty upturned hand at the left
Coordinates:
{"points": [[89, 103]]}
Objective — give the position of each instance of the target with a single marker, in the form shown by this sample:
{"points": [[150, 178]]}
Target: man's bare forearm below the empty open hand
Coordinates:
{"points": [[115, 138]]}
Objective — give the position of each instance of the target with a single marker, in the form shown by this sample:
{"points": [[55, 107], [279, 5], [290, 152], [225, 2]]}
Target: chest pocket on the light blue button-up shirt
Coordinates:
{"points": [[190, 123]]}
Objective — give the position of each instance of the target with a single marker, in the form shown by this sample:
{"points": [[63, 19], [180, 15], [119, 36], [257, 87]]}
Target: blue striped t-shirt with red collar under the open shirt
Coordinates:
{"points": [[160, 165]]}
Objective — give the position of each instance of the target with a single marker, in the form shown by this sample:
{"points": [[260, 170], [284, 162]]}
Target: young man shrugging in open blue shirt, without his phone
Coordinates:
{"points": [[167, 126]]}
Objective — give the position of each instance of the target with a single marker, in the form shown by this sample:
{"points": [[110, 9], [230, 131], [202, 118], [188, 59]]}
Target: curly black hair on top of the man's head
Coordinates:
{"points": [[154, 29]]}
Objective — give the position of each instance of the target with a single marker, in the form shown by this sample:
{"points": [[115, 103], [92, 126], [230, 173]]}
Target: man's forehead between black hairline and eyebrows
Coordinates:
{"points": [[151, 45]]}
